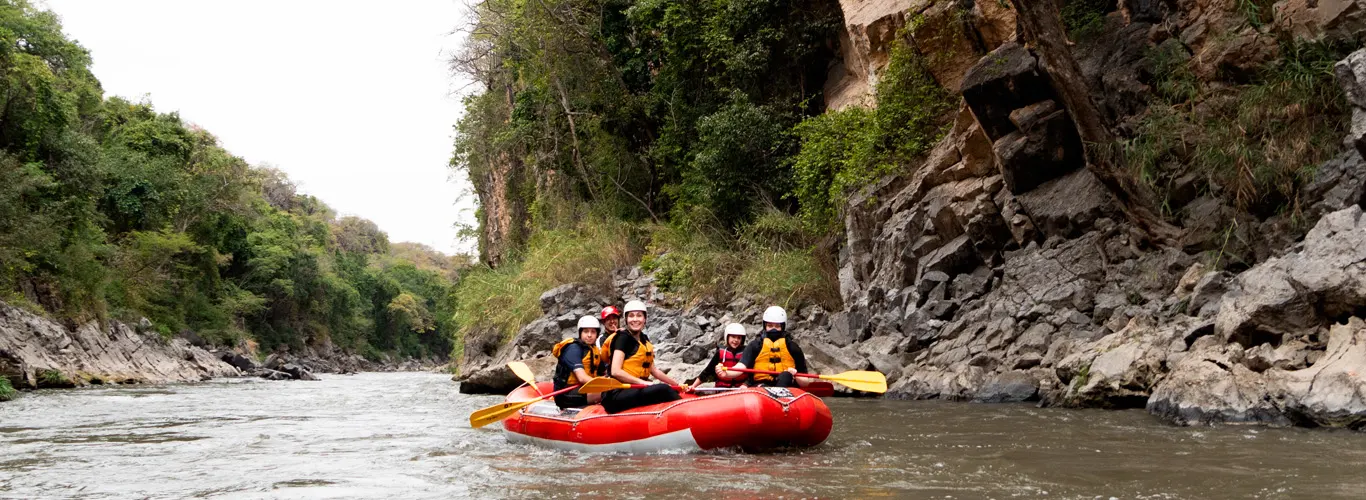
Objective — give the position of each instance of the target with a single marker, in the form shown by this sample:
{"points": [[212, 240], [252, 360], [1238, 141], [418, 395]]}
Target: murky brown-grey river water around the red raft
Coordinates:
{"points": [[408, 436]]}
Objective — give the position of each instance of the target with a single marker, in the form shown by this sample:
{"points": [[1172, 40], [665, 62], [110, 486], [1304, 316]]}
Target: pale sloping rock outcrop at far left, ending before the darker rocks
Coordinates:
{"points": [[36, 352]]}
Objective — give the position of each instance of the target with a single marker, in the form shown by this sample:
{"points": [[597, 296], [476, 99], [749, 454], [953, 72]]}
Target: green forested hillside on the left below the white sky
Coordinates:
{"points": [[113, 211]]}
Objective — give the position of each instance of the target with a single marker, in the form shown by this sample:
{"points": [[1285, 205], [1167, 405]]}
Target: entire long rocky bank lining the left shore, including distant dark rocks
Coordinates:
{"points": [[39, 353]]}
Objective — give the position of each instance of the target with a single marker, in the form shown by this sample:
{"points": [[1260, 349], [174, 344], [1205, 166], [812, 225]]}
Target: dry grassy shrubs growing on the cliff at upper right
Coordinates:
{"points": [[1259, 141]]}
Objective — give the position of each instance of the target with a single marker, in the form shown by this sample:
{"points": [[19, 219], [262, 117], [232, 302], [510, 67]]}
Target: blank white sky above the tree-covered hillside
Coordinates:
{"points": [[353, 99]]}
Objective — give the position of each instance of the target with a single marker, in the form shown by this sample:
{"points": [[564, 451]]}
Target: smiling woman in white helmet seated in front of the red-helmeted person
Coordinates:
{"points": [[633, 363]]}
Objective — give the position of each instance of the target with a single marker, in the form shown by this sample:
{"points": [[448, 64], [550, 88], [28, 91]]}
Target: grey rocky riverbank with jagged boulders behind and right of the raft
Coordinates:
{"points": [[1002, 271]]}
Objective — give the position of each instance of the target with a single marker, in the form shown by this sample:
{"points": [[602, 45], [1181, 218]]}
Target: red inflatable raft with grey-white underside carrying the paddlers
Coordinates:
{"points": [[749, 419]]}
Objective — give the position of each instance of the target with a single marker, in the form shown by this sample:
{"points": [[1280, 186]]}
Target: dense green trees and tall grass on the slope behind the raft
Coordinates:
{"points": [[693, 132]]}
